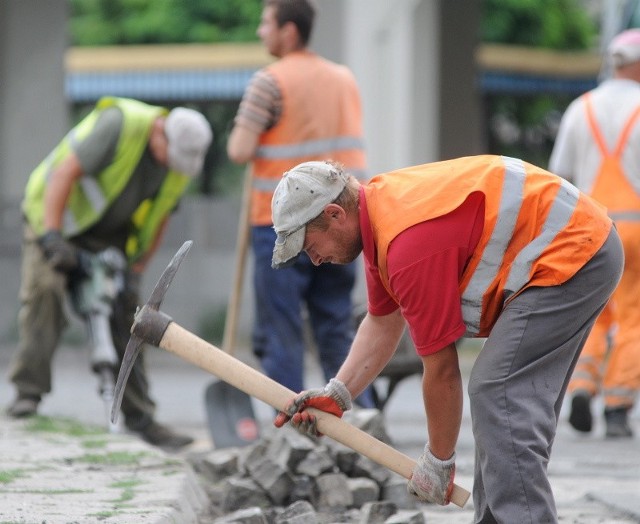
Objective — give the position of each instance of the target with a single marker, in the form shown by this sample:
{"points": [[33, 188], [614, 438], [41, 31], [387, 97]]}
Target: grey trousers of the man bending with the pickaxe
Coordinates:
{"points": [[517, 385]]}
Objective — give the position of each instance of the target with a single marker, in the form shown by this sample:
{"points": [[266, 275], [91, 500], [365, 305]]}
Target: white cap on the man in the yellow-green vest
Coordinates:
{"points": [[189, 136]]}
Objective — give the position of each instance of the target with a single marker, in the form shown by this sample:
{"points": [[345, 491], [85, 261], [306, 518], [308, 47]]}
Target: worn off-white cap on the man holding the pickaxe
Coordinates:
{"points": [[301, 195]]}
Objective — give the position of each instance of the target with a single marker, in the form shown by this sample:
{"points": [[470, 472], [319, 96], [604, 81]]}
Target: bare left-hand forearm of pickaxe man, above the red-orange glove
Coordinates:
{"points": [[373, 346]]}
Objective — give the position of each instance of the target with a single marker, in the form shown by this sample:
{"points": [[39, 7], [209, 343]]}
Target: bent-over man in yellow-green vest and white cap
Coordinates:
{"points": [[112, 181]]}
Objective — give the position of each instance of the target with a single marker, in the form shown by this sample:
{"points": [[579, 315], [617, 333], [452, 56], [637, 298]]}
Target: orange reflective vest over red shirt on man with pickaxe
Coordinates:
{"points": [[539, 230]]}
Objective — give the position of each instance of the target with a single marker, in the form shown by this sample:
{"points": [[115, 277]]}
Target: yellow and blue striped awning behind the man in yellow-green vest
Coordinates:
{"points": [[189, 72]]}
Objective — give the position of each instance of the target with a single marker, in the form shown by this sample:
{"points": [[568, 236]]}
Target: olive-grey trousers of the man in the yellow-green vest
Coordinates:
{"points": [[41, 321]]}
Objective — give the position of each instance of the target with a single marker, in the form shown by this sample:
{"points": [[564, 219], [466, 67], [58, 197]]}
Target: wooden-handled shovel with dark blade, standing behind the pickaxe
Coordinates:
{"points": [[230, 414]]}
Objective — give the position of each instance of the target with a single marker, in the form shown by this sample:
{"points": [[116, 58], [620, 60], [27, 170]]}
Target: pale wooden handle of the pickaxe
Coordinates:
{"points": [[193, 349]]}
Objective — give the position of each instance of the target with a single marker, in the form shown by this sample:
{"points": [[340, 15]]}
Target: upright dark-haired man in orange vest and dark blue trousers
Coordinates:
{"points": [[302, 107]]}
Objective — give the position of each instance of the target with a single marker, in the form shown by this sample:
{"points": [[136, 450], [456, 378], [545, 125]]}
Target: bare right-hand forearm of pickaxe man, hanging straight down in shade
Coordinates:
{"points": [[442, 394]]}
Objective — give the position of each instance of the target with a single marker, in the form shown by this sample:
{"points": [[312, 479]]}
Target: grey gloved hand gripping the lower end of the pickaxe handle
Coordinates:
{"points": [[432, 478]]}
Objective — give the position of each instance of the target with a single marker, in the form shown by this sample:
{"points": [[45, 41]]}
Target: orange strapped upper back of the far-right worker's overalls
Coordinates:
{"points": [[612, 187]]}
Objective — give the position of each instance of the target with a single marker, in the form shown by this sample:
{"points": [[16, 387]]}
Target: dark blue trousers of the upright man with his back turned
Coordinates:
{"points": [[281, 296]]}
